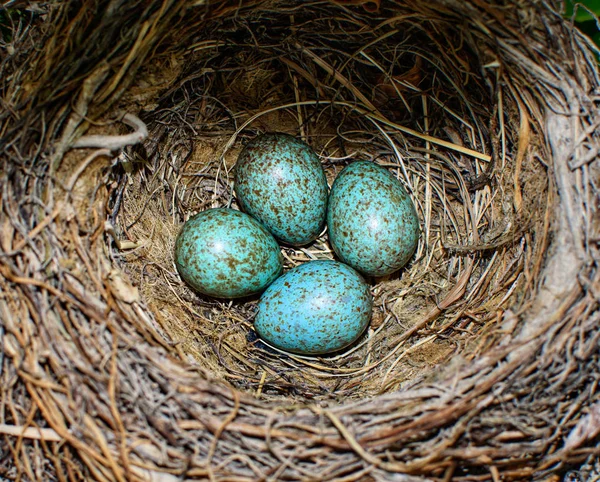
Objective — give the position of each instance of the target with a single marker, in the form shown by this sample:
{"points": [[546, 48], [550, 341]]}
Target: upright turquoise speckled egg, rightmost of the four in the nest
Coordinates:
{"points": [[373, 225]]}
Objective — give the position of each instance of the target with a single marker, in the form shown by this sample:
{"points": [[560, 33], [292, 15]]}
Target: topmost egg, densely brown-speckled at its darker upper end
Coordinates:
{"points": [[279, 180]]}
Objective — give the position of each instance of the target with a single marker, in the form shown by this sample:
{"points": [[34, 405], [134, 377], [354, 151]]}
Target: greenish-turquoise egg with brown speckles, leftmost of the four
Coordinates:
{"points": [[227, 254]]}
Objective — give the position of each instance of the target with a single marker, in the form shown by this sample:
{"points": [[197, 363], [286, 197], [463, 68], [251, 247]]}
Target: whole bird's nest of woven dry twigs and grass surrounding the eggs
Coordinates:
{"points": [[481, 359]]}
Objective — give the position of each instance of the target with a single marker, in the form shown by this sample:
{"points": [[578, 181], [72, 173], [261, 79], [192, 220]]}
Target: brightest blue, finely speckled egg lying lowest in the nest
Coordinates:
{"points": [[316, 308]]}
